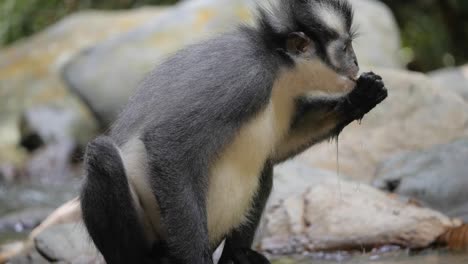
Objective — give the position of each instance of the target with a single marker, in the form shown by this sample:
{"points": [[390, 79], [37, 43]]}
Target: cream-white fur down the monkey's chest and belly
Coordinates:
{"points": [[234, 177]]}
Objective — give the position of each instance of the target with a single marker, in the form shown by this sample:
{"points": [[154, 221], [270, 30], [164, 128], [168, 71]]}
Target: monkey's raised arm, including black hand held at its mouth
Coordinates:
{"points": [[318, 119]]}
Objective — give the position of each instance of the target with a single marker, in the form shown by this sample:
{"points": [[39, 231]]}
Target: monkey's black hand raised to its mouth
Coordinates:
{"points": [[369, 92]]}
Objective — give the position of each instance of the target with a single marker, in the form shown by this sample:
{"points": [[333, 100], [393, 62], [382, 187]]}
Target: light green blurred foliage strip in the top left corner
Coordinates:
{"points": [[21, 18]]}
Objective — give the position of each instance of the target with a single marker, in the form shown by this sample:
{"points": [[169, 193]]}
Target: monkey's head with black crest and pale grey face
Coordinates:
{"points": [[316, 28]]}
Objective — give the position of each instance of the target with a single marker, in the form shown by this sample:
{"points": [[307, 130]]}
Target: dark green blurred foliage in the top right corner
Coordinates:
{"points": [[434, 32]]}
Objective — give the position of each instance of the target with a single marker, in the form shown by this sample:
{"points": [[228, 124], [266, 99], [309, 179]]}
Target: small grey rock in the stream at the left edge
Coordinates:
{"points": [[23, 220]]}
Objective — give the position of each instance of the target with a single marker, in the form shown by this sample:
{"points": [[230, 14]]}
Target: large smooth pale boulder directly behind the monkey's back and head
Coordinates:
{"points": [[92, 74]]}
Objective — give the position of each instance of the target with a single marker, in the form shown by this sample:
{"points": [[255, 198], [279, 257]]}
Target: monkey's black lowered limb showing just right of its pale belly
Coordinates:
{"points": [[237, 248]]}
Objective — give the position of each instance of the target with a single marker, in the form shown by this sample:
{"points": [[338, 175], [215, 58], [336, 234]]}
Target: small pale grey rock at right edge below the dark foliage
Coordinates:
{"points": [[454, 79]]}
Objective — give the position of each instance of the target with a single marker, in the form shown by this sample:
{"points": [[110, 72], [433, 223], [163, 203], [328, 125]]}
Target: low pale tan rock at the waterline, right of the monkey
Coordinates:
{"points": [[345, 215]]}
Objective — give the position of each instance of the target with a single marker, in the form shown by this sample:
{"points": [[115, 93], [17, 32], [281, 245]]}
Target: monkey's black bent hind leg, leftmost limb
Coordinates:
{"points": [[107, 206]]}
